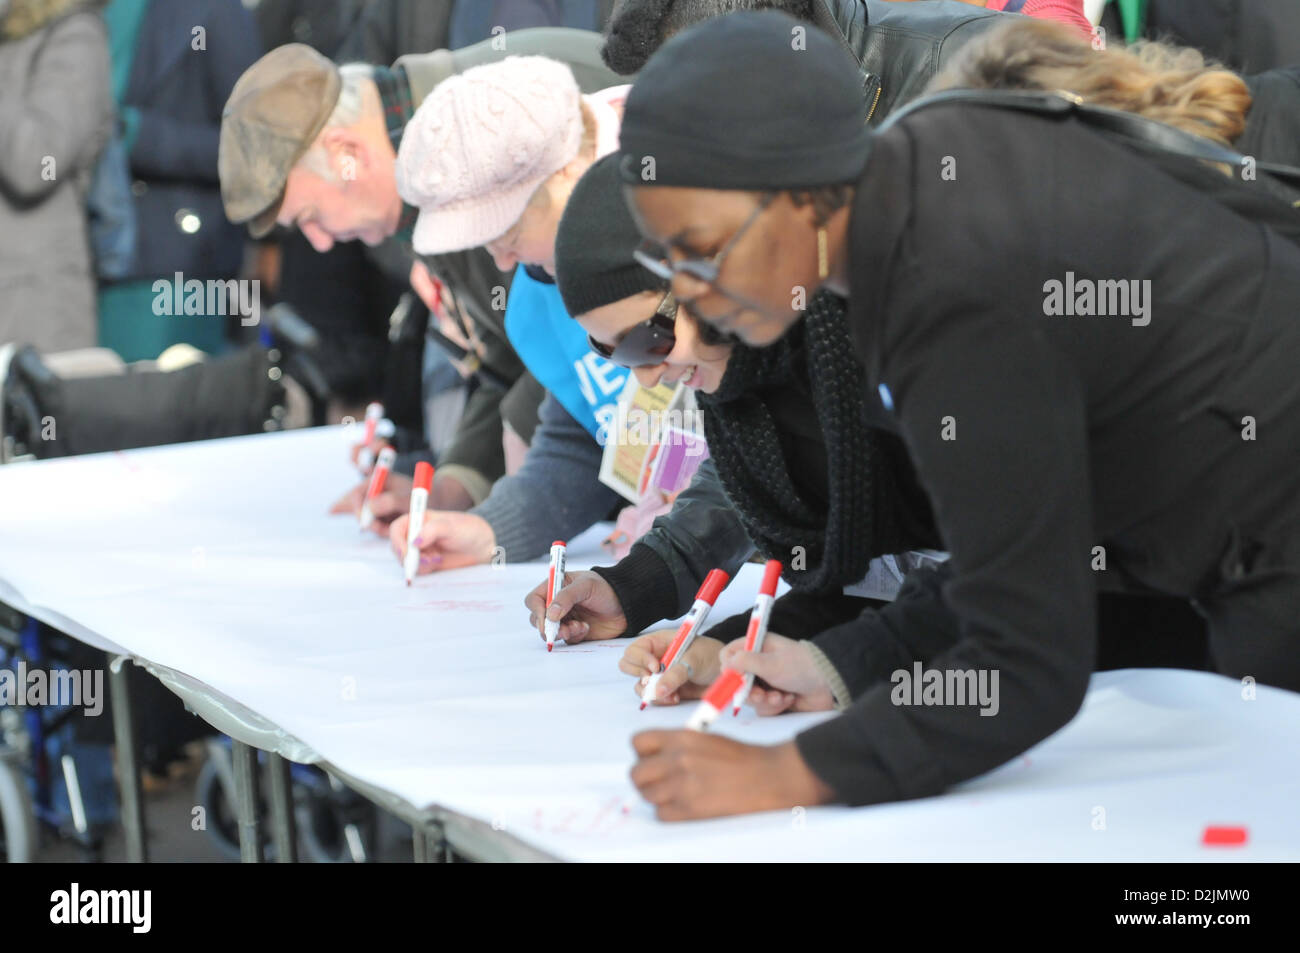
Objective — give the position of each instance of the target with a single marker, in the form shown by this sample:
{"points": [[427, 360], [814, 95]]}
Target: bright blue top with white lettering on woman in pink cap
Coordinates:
{"points": [[554, 349]]}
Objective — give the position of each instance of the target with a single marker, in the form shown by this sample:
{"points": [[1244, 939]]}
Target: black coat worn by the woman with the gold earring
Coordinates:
{"points": [[1039, 437]]}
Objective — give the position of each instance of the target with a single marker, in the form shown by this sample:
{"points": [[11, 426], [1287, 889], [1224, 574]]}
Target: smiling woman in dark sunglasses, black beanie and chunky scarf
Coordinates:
{"points": [[794, 465]]}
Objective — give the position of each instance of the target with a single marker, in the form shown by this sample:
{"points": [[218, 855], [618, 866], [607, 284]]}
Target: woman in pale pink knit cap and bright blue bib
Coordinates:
{"points": [[491, 159]]}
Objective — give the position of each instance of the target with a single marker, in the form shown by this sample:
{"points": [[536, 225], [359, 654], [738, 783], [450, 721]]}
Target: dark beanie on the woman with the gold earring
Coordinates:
{"points": [[749, 101]]}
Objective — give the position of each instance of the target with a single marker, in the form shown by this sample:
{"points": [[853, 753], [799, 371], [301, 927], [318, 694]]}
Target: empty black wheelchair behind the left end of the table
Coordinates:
{"points": [[90, 401]]}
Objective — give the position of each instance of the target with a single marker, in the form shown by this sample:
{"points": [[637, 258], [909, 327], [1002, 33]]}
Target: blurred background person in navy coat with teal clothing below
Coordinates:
{"points": [[174, 66]]}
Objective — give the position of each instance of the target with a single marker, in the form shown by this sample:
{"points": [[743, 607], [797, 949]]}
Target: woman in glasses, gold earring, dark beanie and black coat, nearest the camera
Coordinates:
{"points": [[1146, 440]]}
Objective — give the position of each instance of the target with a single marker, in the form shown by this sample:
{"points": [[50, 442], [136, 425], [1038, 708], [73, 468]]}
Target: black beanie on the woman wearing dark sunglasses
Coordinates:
{"points": [[595, 244]]}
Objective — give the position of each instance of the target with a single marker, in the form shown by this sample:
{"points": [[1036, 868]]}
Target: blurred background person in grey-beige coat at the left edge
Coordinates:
{"points": [[55, 118]]}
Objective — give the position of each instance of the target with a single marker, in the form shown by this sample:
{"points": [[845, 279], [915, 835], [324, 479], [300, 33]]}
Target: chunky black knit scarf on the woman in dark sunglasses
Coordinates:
{"points": [[866, 516]]}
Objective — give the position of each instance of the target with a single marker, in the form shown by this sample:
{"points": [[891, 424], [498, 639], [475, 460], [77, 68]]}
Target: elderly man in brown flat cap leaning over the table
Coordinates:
{"points": [[311, 145]]}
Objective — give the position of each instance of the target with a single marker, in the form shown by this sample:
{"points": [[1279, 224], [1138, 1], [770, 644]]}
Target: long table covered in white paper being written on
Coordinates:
{"points": [[218, 565]]}
